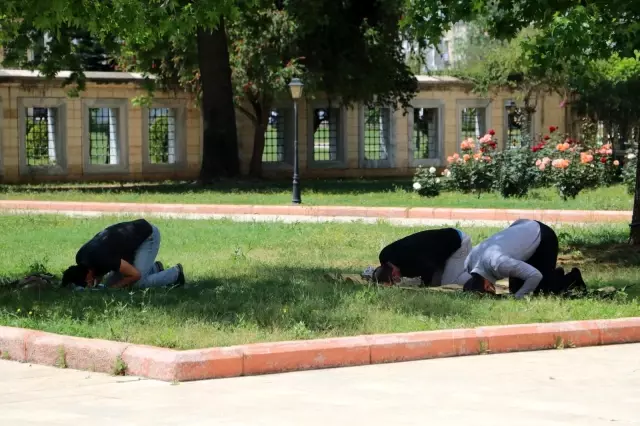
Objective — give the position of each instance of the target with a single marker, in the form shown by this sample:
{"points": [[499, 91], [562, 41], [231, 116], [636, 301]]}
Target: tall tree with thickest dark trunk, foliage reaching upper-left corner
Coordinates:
{"points": [[151, 24]]}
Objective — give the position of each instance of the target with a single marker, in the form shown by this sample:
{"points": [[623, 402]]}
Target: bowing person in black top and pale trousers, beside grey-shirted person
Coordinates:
{"points": [[436, 256]]}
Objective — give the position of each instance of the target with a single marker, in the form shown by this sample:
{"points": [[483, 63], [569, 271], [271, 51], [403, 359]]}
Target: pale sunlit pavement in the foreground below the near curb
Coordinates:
{"points": [[589, 386]]}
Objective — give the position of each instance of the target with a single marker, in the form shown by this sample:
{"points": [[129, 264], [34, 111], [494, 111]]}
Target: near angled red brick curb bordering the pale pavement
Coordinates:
{"points": [[263, 358]]}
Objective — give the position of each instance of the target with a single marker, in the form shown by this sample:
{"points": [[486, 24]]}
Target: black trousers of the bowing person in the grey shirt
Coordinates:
{"points": [[544, 259]]}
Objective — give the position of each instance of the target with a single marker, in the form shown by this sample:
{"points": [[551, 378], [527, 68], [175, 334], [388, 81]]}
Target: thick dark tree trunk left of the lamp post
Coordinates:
{"points": [[220, 137]]}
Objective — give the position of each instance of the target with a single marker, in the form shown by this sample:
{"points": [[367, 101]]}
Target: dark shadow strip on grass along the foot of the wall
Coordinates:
{"points": [[327, 186]]}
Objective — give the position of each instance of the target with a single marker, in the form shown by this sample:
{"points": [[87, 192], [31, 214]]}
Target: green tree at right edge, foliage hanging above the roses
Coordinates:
{"points": [[579, 38]]}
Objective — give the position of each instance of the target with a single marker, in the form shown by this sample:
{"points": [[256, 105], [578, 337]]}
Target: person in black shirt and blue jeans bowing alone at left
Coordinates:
{"points": [[126, 252]]}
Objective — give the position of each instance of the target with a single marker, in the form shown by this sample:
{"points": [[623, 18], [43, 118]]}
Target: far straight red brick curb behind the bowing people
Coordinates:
{"points": [[550, 216]]}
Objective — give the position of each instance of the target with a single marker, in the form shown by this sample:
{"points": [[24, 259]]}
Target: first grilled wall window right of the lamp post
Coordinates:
{"points": [[326, 138]]}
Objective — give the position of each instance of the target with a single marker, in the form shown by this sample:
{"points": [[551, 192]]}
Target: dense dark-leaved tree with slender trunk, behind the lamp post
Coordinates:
{"points": [[350, 51]]}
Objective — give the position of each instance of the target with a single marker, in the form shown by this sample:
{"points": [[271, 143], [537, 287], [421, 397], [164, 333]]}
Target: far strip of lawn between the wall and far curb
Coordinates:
{"points": [[355, 192]]}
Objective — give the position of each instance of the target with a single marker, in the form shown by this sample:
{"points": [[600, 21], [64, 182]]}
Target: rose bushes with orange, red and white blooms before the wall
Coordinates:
{"points": [[556, 160]]}
